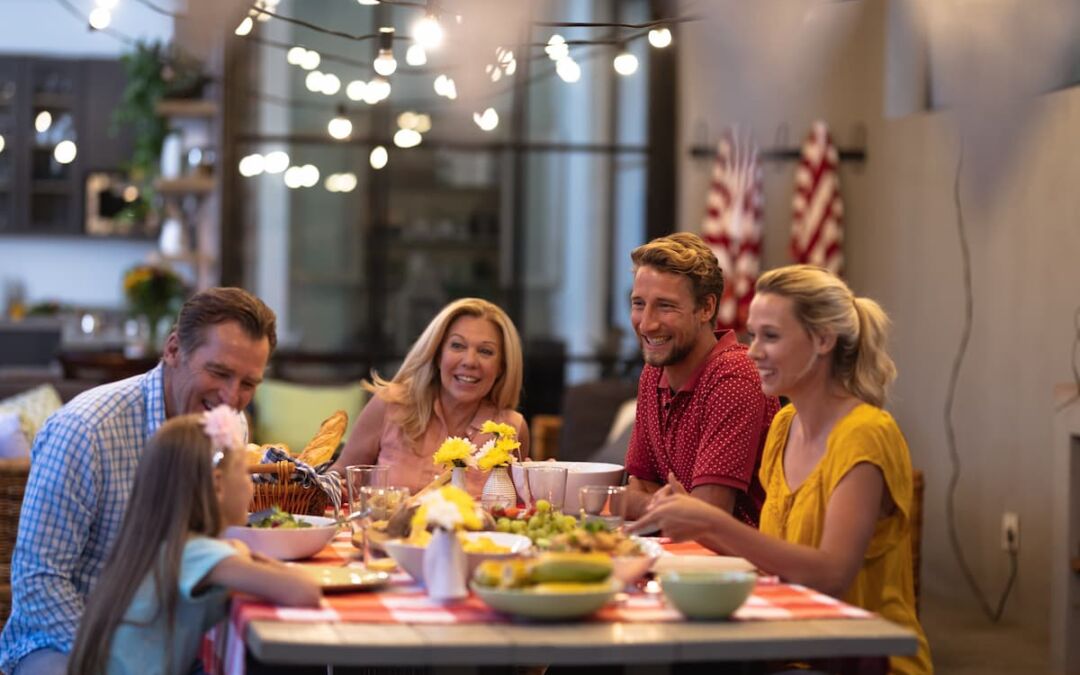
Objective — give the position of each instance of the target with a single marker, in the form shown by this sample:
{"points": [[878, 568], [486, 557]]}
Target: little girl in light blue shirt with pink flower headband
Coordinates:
{"points": [[169, 575]]}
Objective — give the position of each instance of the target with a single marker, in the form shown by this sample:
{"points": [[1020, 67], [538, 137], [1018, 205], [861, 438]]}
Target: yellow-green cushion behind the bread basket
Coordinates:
{"points": [[291, 414]]}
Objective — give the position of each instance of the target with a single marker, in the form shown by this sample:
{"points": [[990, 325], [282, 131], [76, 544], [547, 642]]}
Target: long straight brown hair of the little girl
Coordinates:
{"points": [[174, 496]]}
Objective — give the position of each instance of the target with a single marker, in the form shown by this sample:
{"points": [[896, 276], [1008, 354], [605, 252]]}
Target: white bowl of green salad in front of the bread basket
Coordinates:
{"points": [[285, 536]]}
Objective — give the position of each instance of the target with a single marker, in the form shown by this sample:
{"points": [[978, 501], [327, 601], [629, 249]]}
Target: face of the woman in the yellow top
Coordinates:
{"points": [[786, 354]]}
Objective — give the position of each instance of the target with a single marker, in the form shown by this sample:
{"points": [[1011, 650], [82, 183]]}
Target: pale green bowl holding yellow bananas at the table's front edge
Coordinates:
{"points": [[551, 587]]}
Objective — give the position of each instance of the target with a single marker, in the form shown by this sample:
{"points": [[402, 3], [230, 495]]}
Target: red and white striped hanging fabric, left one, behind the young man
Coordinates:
{"points": [[733, 225]]}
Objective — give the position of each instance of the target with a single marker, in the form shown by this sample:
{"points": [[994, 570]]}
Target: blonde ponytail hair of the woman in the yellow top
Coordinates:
{"points": [[823, 303]]}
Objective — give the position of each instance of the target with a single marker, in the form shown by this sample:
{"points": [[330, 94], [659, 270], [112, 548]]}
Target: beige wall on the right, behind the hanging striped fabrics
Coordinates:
{"points": [[790, 63]]}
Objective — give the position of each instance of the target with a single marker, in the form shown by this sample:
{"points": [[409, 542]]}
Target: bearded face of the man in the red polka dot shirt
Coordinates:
{"points": [[669, 323]]}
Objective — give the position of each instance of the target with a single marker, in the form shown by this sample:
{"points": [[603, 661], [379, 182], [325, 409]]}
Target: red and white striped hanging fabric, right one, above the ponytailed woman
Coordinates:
{"points": [[818, 223]]}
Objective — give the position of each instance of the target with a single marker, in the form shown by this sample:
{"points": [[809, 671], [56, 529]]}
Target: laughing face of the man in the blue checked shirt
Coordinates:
{"points": [[225, 369]]}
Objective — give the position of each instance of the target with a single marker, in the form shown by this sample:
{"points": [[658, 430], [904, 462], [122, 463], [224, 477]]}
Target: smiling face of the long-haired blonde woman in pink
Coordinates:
{"points": [[470, 360]]}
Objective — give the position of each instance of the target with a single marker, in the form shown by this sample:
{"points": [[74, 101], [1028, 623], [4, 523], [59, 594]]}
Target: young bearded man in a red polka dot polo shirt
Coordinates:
{"points": [[701, 415]]}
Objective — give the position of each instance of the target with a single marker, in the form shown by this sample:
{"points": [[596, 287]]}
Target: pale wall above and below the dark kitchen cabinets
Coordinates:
{"points": [[72, 271]]}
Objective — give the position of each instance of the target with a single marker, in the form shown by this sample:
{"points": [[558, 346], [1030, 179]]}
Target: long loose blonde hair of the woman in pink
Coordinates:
{"points": [[417, 384]]}
